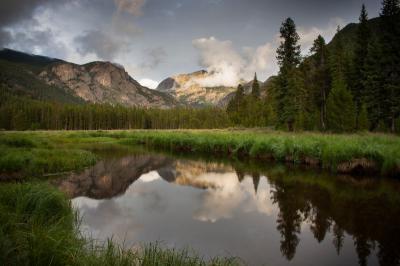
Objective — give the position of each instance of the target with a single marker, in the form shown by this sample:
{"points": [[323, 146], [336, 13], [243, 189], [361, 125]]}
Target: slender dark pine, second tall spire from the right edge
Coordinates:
{"points": [[358, 64]]}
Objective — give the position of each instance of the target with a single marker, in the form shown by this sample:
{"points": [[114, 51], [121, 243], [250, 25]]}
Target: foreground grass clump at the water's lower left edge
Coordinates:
{"points": [[39, 227]]}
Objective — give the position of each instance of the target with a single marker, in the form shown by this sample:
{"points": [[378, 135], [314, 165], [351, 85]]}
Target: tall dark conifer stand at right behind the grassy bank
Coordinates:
{"points": [[338, 87]]}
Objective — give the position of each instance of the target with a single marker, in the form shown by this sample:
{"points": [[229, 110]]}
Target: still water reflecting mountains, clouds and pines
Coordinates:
{"points": [[270, 215]]}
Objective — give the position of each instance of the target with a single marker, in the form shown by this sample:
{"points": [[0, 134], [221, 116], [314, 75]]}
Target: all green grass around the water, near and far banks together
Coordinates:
{"points": [[39, 227]]}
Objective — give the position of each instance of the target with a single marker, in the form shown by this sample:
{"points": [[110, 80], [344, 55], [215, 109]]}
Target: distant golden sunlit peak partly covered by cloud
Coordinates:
{"points": [[187, 89]]}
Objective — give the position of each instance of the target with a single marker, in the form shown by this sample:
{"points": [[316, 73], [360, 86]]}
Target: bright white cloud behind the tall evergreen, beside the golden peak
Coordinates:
{"points": [[229, 66]]}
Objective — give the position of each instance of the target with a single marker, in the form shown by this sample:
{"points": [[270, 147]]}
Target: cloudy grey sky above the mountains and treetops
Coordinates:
{"points": [[155, 39]]}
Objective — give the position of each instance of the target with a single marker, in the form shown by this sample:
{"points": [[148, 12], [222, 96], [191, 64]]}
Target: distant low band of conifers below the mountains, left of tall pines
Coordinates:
{"points": [[20, 113]]}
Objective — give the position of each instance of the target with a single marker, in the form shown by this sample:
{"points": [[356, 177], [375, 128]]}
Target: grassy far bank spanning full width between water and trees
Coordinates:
{"points": [[41, 153]]}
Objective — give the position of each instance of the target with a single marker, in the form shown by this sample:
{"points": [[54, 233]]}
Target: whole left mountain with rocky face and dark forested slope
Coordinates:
{"points": [[97, 82]]}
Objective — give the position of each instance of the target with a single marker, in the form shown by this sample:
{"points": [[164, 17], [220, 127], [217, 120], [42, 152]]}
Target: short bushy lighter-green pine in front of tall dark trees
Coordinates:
{"points": [[340, 108]]}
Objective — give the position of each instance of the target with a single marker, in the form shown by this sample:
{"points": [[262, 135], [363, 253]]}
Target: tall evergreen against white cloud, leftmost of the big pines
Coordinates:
{"points": [[288, 59]]}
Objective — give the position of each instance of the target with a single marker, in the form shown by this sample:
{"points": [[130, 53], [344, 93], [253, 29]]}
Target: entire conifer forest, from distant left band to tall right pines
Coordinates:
{"points": [[351, 84]]}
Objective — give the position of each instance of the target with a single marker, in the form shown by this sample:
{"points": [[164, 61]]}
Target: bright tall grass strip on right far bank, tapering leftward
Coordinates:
{"points": [[381, 153]]}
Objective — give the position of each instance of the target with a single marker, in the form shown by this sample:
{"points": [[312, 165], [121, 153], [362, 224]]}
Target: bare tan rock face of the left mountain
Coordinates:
{"points": [[104, 82]]}
